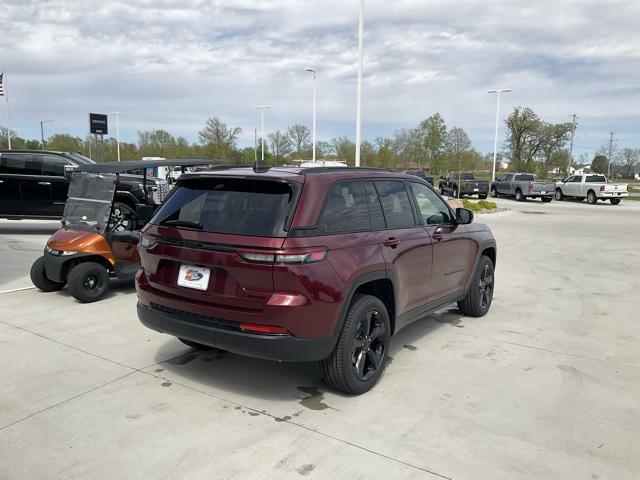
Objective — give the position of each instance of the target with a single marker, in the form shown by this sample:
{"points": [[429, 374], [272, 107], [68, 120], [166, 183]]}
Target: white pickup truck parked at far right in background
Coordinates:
{"points": [[593, 187]]}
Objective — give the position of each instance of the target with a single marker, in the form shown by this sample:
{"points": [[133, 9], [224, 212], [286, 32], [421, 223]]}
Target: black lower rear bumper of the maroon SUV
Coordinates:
{"points": [[205, 330]]}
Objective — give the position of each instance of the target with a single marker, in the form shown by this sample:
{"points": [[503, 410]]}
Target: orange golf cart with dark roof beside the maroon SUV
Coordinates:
{"points": [[98, 237]]}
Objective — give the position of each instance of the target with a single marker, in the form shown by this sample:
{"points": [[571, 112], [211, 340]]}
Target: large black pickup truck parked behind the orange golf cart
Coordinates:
{"points": [[33, 184]]}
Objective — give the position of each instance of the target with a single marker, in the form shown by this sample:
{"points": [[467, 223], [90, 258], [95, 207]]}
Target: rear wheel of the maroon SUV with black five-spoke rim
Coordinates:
{"points": [[357, 362]]}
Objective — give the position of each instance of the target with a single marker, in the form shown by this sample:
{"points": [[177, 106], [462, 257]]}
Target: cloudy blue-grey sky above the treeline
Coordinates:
{"points": [[171, 64]]}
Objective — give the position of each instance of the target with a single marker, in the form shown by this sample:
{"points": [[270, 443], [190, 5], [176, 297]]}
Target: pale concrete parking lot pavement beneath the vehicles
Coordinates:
{"points": [[546, 386]]}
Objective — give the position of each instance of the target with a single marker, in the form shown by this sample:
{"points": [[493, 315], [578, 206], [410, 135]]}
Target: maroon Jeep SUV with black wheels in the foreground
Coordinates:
{"points": [[303, 264]]}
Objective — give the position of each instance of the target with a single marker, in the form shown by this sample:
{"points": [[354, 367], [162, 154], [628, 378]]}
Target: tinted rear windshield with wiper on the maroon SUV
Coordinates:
{"points": [[233, 206]]}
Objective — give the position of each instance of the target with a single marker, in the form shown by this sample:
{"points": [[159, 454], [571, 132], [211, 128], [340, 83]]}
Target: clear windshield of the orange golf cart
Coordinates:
{"points": [[89, 202]]}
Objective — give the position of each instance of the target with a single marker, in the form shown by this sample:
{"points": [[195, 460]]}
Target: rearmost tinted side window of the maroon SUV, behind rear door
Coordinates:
{"points": [[345, 209]]}
